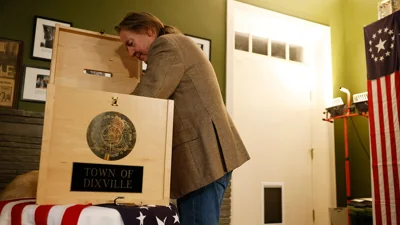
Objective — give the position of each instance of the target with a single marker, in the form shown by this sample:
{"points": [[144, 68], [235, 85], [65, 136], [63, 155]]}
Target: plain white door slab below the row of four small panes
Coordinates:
{"points": [[273, 113]]}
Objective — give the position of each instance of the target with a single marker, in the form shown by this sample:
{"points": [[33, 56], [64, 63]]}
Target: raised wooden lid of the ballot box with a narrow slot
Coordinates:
{"points": [[77, 52]]}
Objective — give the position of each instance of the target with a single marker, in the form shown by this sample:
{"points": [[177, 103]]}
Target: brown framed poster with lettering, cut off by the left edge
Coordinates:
{"points": [[10, 69]]}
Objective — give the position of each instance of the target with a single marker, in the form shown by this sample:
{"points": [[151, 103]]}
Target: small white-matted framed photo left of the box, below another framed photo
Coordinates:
{"points": [[34, 84]]}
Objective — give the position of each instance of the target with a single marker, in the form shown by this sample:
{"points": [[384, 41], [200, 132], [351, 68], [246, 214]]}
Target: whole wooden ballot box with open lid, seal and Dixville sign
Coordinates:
{"points": [[99, 142]]}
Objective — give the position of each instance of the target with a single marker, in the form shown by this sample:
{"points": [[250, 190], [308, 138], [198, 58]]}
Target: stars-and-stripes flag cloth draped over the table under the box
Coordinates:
{"points": [[26, 212]]}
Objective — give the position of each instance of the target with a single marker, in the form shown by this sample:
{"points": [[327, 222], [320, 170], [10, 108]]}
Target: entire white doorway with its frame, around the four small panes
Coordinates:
{"points": [[277, 105]]}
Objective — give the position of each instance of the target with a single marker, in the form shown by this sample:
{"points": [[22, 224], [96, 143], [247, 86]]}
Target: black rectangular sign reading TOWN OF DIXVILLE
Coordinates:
{"points": [[106, 178]]}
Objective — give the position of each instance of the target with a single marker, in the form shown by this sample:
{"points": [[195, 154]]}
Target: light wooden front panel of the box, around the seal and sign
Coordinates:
{"points": [[72, 111]]}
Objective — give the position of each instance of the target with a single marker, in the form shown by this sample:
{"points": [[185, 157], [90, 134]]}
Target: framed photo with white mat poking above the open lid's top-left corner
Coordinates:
{"points": [[43, 38]]}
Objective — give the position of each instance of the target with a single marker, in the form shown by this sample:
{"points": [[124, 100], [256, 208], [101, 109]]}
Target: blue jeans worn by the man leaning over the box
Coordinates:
{"points": [[202, 207]]}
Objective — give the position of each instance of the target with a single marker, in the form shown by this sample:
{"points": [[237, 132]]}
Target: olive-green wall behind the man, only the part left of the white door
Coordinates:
{"points": [[202, 18]]}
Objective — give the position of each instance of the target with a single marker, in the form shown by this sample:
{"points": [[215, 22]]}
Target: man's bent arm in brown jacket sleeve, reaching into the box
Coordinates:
{"points": [[164, 71]]}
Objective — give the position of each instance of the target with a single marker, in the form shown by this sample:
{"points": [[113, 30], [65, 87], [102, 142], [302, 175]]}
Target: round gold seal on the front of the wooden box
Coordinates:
{"points": [[111, 136]]}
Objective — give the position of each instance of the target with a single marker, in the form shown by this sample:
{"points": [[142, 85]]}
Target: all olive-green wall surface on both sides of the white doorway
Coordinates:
{"points": [[206, 18]]}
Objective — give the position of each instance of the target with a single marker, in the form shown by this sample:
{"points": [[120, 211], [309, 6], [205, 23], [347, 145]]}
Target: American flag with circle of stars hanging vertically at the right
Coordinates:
{"points": [[382, 51]]}
